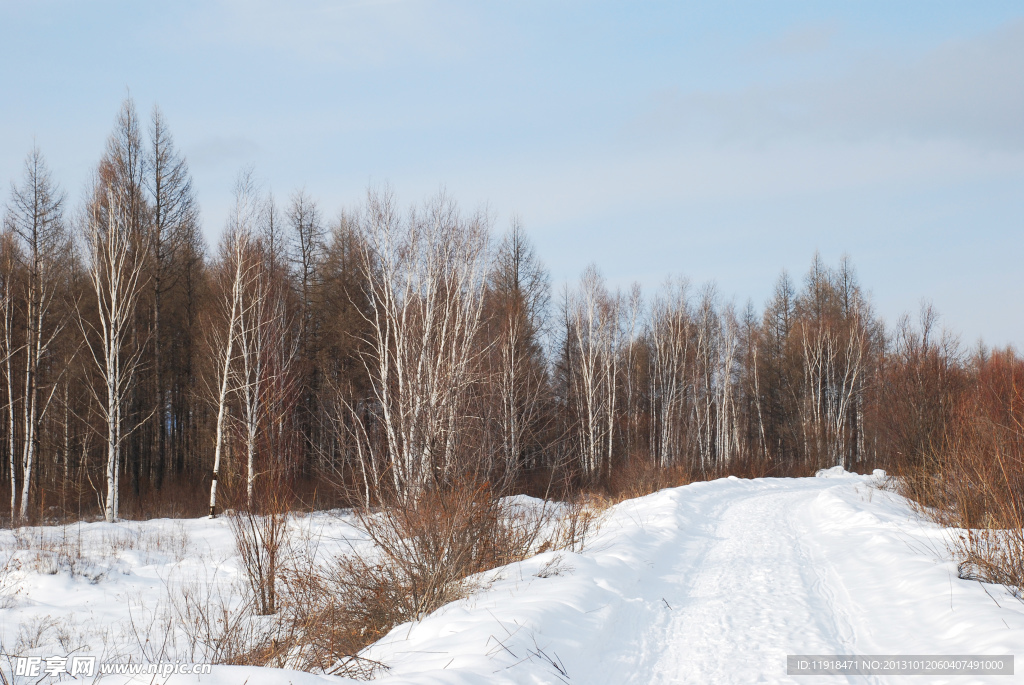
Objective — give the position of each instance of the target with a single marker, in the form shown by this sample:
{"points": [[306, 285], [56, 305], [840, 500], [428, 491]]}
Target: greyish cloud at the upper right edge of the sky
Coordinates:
{"points": [[968, 91]]}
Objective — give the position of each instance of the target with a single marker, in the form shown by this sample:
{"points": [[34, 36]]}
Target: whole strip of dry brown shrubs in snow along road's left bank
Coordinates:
{"points": [[420, 555]]}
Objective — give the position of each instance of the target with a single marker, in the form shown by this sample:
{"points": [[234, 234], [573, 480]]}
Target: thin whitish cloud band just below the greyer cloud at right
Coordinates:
{"points": [[689, 175]]}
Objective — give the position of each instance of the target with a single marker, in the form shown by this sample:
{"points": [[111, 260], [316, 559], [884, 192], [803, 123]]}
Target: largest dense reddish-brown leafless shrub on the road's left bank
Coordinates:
{"points": [[424, 554]]}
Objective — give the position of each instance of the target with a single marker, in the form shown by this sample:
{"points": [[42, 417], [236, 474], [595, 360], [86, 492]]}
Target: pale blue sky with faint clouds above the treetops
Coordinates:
{"points": [[715, 141]]}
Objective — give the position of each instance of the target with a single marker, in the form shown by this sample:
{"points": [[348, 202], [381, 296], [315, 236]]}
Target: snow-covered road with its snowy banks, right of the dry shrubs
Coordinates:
{"points": [[718, 583]]}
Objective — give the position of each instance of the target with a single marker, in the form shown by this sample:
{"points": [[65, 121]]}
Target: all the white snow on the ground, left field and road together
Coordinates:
{"points": [[711, 583]]}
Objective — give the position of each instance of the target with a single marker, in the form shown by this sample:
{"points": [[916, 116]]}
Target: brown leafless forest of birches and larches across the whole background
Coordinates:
{"points": [[391, 349]]}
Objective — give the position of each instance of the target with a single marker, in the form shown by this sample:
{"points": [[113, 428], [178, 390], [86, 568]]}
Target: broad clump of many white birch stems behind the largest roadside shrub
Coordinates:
{"points": [[425, 279]]}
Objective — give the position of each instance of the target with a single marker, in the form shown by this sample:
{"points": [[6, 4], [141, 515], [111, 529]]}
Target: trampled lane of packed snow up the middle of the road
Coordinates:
{"points": [[746, 602]]}
